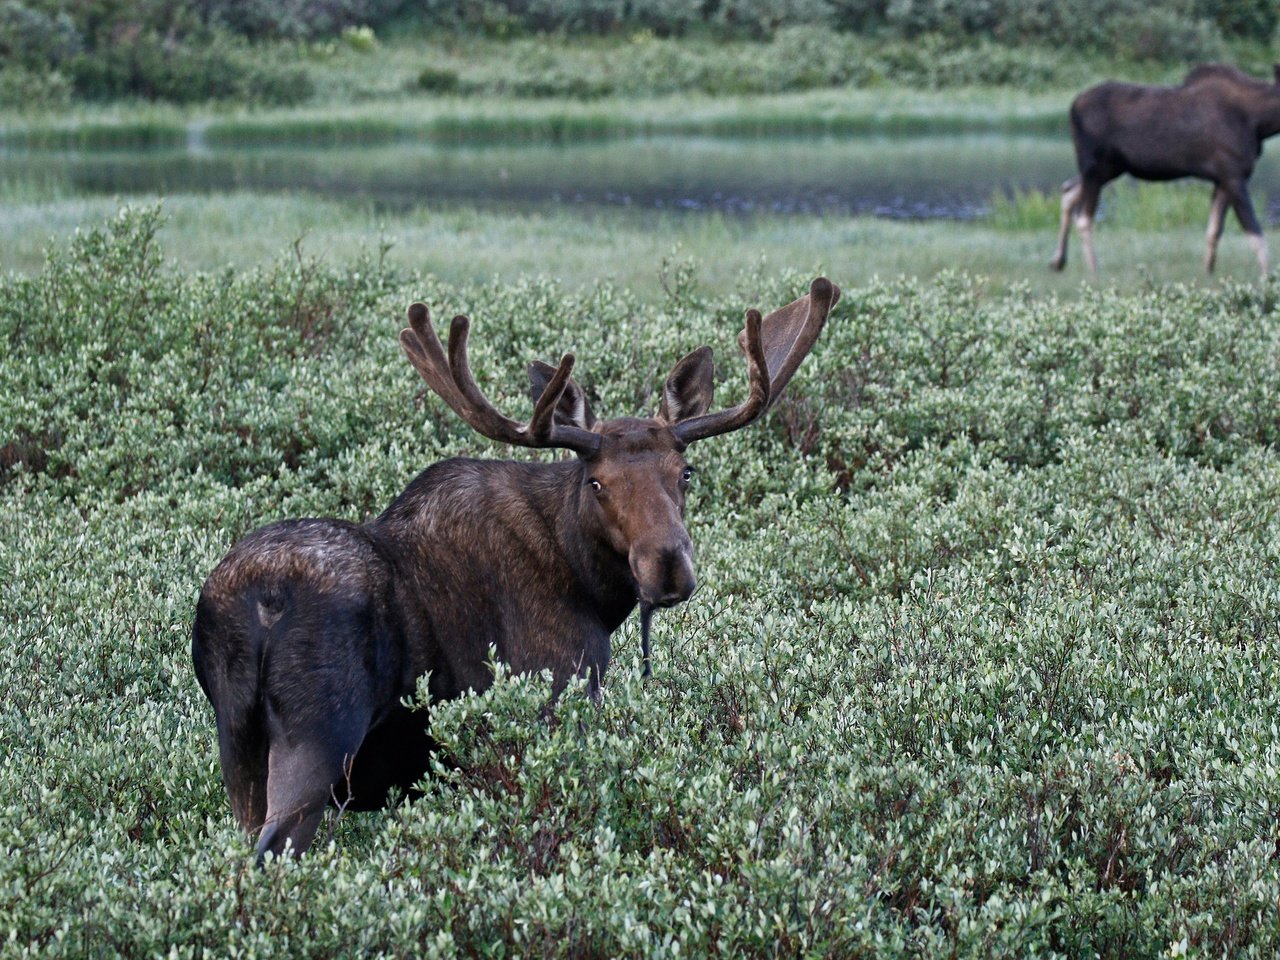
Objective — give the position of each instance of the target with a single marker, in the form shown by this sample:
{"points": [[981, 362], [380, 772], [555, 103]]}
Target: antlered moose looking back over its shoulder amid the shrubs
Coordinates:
{"points": [[312, 634]]}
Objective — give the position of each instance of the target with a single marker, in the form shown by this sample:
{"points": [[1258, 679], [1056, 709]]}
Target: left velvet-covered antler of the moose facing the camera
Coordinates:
{"points": [[451, 378]]}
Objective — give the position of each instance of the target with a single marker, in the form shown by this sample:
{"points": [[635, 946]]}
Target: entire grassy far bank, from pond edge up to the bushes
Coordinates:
{"points": [[533, 89]]}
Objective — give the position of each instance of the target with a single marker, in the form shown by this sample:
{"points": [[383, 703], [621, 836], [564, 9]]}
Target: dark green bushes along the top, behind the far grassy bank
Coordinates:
{"points": [[212, 51]]}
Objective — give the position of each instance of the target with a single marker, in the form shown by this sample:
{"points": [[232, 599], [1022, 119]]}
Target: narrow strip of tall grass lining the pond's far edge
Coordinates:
{"points": [[488, 120]]}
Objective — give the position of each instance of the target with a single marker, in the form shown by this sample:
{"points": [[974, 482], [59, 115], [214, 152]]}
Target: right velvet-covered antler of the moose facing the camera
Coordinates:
{"points": [[774, 348]]}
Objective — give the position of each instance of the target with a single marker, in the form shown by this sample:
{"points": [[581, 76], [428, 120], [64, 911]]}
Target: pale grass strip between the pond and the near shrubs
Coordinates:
{"points": [[469, 246]]}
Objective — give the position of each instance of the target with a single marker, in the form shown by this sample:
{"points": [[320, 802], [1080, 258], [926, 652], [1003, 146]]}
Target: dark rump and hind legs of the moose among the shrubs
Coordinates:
{"points": [[298, 629]]}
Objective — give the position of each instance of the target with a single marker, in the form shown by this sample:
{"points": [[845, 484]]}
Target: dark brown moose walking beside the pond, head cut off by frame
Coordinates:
{"points": [[1212, 127]]}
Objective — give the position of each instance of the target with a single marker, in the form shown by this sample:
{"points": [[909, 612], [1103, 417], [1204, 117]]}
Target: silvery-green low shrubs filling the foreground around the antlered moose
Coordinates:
{"points": [[982, 664]]}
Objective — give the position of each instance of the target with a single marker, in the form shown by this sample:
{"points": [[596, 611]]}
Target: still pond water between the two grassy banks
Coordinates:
{"points": [[920, 177]]}
